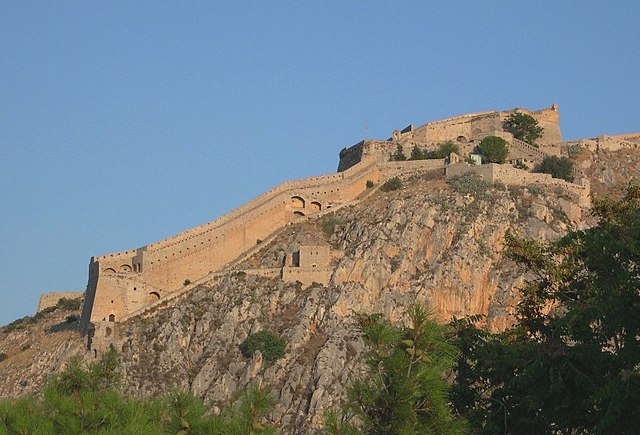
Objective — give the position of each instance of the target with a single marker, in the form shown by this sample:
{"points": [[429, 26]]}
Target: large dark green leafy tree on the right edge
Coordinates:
{"points": [[570, 364]]}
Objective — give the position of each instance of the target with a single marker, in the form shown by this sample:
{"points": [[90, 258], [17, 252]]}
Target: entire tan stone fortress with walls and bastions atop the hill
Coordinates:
{"points": [[125, 283]]}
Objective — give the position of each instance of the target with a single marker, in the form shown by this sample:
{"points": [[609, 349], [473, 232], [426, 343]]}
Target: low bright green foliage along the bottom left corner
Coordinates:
{"points": [[84, 399]]}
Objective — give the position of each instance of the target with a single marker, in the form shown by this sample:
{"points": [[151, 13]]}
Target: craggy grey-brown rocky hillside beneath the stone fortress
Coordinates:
{"points": [[432, 241]]}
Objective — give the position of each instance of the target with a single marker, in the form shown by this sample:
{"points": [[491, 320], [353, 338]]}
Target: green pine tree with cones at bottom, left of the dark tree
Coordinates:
{"points": [[404, 390]]}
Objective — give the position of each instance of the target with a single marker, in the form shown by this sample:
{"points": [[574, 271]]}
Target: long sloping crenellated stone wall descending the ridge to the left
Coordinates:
{"points": [[123, 282]]}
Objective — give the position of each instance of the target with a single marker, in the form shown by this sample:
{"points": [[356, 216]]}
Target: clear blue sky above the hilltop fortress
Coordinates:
{"points": [[122, 123]]}
